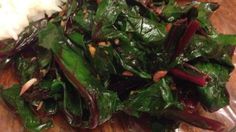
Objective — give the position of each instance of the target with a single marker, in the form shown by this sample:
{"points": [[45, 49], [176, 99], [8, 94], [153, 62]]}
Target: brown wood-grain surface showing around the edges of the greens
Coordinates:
{"points": [[223, 19]]}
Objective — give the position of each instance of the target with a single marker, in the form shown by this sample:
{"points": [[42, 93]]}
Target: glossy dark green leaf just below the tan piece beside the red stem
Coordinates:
{"points": [[153, 99]]}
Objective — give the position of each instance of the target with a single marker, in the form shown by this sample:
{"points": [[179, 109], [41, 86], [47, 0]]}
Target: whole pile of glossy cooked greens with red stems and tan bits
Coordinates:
{"points": [[97, 58]]}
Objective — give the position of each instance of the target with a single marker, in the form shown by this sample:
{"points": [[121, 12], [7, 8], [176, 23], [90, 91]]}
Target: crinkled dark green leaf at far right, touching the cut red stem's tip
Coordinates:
{"points": [[214, 95]]}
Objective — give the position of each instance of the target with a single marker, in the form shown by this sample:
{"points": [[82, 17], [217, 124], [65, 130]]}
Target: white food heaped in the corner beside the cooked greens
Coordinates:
{"points": [[15, 15]]}
